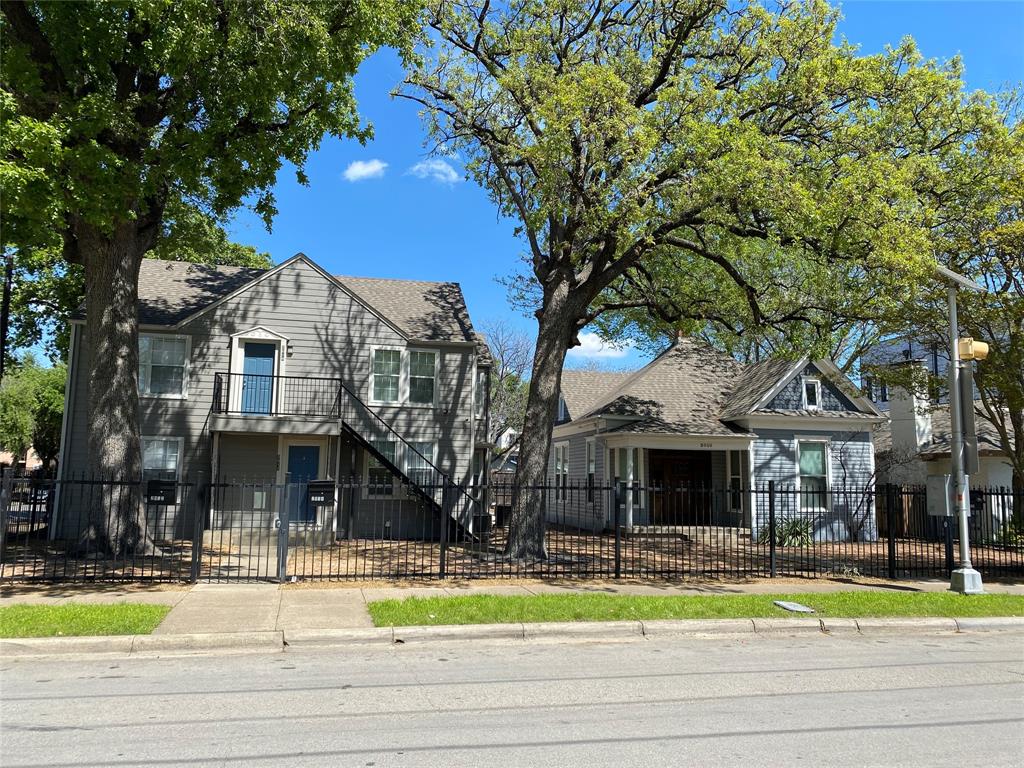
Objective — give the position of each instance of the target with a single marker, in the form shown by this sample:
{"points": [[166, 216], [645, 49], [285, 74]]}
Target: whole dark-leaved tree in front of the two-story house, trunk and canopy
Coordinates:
{"points": [[121, 107]]}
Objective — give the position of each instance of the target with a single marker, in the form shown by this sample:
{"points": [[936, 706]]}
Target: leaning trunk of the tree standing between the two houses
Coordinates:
{"points": [[558, 331]]}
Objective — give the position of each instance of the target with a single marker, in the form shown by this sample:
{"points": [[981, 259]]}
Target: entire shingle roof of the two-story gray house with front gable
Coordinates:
{"points": [[173, 292]]}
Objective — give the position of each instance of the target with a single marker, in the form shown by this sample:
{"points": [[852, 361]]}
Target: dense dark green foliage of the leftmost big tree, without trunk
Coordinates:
{"points": [[168, 115]]}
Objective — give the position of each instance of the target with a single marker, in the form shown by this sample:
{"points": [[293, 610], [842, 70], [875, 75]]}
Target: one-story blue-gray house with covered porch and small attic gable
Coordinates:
{"points": [[697, 419]]}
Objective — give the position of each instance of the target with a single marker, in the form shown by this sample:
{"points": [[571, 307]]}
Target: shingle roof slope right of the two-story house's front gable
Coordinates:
{"points": [[430, 312]]}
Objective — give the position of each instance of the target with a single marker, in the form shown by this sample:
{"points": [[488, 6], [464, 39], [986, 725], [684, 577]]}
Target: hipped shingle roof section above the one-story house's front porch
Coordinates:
{"points": [[681, 392]]}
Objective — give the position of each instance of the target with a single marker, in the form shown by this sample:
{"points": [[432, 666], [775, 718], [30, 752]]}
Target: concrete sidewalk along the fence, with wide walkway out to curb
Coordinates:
{"points": [[206, 609]]}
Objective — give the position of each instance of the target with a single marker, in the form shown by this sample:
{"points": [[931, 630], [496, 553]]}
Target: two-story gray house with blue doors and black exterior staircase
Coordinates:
{"points": [[292, 375]]}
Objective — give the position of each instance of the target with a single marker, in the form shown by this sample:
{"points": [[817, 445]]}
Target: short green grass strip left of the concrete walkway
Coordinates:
{"points": [[75, 619]]}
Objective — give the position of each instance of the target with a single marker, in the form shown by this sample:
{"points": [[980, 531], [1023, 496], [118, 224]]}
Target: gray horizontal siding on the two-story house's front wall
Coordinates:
{"points": [[330, 334]]}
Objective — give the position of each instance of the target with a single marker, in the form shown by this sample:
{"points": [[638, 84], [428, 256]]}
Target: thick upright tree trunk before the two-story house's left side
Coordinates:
{"points": [[112, 262]]}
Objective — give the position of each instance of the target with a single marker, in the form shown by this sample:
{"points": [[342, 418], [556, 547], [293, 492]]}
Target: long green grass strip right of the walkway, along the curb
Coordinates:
{"points": [[570, 608]]}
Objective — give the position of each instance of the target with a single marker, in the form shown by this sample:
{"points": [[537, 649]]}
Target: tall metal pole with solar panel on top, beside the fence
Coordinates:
{"points": [[965, 579]]}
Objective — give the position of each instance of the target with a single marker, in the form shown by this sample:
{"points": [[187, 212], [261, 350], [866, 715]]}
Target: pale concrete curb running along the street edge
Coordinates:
{"points": [[277, 642]]}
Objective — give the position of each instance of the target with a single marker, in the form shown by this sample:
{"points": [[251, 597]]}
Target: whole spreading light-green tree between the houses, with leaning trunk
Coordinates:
{"points": [[732, 144]]}
